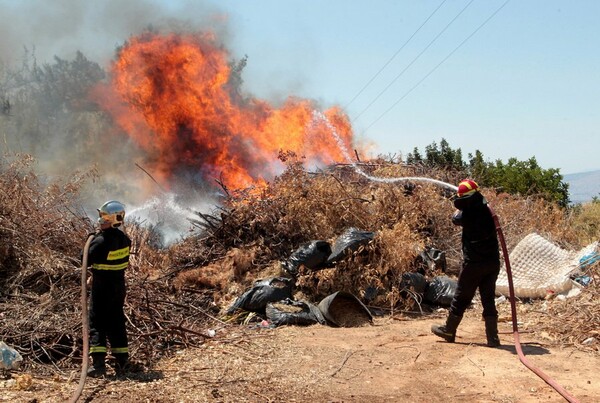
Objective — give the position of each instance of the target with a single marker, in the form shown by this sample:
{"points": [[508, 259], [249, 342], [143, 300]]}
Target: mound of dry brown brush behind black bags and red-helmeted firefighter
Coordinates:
{"points": [[301, 206]]}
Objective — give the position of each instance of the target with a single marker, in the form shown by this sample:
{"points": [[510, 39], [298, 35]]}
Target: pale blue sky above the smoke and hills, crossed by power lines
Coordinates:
{"points": [[525, 84]]}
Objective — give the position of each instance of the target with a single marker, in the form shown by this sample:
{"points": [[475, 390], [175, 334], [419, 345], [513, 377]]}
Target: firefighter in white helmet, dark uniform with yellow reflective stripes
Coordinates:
{"points": [[108, 257]]}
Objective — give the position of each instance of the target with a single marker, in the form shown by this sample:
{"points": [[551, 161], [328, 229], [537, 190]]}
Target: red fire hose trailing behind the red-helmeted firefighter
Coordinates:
{"points": [[513, 308]]}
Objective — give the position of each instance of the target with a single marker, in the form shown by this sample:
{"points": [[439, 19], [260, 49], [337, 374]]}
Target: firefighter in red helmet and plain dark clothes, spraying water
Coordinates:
{"points": [[481, 263]]}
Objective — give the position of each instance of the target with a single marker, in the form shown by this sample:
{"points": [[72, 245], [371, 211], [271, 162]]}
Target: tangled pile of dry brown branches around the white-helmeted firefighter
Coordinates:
{"points": [[41, 236]]}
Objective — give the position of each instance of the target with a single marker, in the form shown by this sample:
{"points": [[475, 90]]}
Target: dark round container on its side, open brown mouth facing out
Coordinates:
{"points": [[343, 309]]}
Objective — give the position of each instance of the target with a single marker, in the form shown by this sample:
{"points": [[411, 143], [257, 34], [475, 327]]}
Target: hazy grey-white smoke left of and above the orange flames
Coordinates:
{"points": [[36, 32]]}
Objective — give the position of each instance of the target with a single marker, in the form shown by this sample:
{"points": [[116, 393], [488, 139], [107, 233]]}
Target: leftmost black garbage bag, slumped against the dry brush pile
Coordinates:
{"points": [[262, 292]]}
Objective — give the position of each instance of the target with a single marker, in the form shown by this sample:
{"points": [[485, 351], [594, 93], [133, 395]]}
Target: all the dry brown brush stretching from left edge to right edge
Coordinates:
{"points": [[175, 294]]}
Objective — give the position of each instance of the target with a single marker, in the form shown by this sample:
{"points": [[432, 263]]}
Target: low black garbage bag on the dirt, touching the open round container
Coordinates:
{"points": [[290, 312]]}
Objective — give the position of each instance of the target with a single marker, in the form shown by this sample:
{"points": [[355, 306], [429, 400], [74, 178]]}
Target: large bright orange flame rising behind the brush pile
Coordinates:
{"points": [[175, 95]]}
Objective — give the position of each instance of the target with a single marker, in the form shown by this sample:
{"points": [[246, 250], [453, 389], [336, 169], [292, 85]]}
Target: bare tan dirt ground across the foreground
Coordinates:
{"points": [[396, 359]]}
